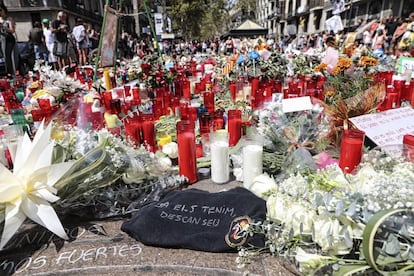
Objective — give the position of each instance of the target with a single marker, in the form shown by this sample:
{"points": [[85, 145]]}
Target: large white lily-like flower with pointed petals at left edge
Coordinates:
{"points": [[28, 191]]}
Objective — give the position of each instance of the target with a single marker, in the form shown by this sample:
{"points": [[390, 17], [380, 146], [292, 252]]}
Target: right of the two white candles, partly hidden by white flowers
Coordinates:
{"points": [[252, 163]]}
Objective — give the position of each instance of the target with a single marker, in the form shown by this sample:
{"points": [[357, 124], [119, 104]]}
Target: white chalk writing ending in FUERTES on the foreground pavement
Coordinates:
{"points": [[75, 254]]}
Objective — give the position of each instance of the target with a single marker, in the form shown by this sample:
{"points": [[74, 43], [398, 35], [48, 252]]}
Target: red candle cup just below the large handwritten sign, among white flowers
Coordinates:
{"points": [[351, 149]]}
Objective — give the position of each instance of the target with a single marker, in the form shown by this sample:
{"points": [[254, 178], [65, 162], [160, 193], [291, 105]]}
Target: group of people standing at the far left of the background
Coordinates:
{"points": [[51, 42]]}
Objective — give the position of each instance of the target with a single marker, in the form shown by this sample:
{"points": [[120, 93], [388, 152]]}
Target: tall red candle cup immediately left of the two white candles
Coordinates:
{"points": [[187, 159]]}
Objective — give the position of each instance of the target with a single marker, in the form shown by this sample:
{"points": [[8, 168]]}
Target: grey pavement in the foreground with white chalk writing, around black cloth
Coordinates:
{"points": [[101, 248]]}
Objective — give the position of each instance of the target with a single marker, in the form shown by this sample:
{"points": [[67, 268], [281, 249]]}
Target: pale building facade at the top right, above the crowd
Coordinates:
{"points": [[286, 17]]}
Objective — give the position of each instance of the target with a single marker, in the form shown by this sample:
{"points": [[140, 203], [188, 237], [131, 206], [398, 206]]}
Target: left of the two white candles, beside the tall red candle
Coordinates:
{"points": [[220, 161]]}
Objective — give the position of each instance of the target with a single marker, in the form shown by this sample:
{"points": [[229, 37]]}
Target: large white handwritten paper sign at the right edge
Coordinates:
{"points": [[388, 127]]}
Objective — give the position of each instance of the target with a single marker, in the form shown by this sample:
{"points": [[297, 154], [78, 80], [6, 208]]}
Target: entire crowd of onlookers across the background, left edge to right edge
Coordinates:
{"points": [[54, 43]]}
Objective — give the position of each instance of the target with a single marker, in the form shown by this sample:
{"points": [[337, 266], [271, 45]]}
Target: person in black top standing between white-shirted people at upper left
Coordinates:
{"points": [[61, 30]]}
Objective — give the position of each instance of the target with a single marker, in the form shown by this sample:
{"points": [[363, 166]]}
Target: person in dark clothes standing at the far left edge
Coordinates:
{"points": [[8, 41]]}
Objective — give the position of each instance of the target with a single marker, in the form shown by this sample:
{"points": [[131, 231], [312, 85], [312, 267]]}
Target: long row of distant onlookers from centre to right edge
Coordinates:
{"points": [[386, 36]]}
